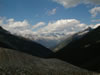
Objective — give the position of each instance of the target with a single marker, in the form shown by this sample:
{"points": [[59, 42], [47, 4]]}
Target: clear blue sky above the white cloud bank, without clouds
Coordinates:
{"points": [[37, 10]]}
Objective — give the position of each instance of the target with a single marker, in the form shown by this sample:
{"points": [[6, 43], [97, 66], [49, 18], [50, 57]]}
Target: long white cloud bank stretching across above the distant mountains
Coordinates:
{"points": [[65, 26]]}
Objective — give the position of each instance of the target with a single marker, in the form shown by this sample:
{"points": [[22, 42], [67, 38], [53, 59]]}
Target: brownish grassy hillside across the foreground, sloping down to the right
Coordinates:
{"points": [[18, 63]]}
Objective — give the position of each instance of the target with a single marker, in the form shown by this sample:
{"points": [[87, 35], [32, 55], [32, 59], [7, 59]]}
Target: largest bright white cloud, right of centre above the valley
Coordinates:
{"points": [[63, 26]]}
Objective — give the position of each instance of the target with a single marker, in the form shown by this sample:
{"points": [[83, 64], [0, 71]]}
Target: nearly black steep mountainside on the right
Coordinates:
{"points": [[83, 52]]}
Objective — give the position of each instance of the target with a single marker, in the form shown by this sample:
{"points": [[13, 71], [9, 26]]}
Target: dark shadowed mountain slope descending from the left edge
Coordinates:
{"points": [[14, 42]]}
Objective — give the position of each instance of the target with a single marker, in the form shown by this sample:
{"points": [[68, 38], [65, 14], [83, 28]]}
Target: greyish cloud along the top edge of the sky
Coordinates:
{"points": [[73, 3]]}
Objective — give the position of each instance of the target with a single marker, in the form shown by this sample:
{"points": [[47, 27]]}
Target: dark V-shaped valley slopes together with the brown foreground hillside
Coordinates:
{"points": [[21, 56]]}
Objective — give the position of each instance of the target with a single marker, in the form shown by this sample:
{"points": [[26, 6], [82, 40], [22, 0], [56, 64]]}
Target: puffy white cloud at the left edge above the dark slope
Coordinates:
{"points": [[14, 26]]}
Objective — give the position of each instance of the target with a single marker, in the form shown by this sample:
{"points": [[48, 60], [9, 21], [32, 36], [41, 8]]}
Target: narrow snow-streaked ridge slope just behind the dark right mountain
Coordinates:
{"points": [[71, 38]]}
